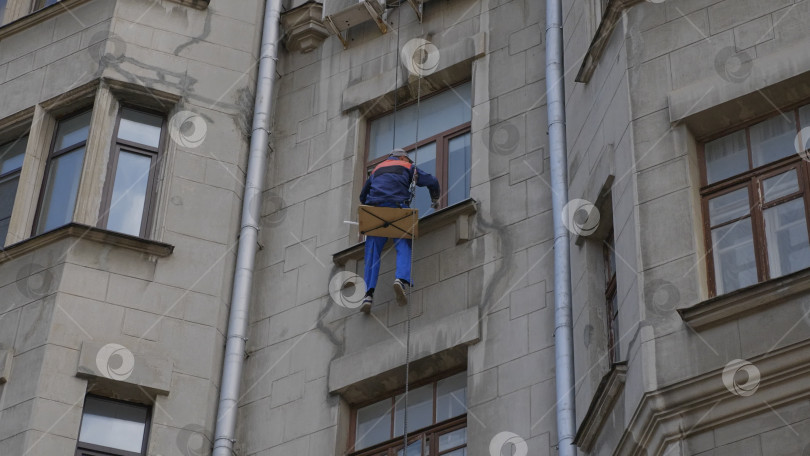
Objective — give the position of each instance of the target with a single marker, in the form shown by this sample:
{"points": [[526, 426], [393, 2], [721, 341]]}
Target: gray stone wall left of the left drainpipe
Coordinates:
{"points": [[169, 312]]}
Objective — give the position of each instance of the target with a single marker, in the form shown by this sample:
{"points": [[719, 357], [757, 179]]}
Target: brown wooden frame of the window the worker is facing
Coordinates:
{"points": [[442, 140]]}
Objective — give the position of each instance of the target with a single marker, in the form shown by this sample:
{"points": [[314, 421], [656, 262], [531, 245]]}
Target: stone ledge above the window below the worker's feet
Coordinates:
{"points": [[380, 368]]}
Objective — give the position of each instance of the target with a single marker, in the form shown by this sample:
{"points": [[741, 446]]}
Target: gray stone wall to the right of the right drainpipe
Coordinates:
{"points": [[666, 71]]}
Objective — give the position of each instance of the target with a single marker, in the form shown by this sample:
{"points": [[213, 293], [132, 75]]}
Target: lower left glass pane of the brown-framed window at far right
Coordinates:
{"points": [[734, 262]]}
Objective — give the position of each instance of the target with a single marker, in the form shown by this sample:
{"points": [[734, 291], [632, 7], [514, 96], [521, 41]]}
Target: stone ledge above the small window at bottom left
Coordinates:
{"points": [[123, 371]]}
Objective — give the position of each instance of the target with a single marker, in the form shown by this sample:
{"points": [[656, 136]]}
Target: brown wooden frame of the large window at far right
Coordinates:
{"points": [[752, 181]]}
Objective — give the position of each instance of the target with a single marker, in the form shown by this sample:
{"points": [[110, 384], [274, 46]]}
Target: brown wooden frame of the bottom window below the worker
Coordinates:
{"points": [[430, 434]]}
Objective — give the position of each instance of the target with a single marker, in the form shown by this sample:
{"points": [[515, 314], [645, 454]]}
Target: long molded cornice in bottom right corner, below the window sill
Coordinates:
{"points": [[704, 402]]}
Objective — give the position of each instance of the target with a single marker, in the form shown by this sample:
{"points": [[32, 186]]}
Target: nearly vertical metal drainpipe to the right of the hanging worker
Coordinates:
{"points": [[563, 321]]}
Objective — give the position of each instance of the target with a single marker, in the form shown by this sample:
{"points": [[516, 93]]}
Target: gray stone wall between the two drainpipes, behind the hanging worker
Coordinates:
{"points": [[502, 274]]}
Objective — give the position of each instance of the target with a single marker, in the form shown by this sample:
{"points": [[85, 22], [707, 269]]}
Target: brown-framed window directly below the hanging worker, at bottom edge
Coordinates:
{"points": [[437, 421]]}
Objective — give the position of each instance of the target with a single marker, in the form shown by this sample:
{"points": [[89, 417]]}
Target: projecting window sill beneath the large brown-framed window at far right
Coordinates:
{"points": [[732, 305]]}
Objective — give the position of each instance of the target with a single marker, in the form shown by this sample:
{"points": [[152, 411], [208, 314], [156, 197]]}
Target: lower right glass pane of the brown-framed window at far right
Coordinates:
{"points": [[786, 232]]}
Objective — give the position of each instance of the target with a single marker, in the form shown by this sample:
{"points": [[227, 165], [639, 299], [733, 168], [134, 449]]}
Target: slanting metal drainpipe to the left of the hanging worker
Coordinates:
{"points": [[248, 236]]}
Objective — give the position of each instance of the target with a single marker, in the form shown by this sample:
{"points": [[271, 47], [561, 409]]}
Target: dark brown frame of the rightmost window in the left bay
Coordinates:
{"points": [[154, 153]]}
